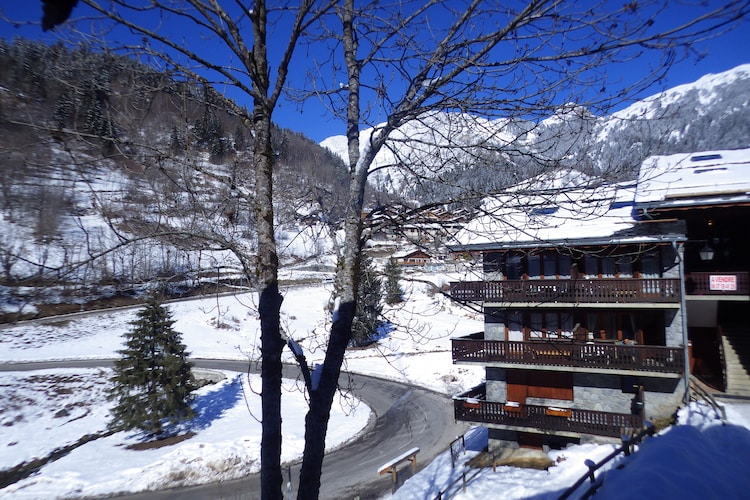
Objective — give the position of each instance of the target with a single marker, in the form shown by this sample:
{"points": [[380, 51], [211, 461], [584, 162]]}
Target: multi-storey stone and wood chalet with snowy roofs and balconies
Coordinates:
{"points": [[590, 295]]}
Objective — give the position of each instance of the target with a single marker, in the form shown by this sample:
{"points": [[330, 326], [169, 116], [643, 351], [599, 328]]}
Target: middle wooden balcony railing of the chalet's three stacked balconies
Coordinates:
{"points": [[600, 355]]}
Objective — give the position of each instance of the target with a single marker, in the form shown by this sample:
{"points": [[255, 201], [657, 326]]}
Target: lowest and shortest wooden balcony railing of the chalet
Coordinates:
{"points": [[597, 423]]}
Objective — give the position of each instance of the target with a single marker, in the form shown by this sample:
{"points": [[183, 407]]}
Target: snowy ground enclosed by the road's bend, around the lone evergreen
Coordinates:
{"points": [[225, 445]]}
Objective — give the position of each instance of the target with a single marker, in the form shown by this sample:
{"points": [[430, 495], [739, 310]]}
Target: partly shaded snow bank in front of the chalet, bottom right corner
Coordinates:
{"points": [[701, 457]]}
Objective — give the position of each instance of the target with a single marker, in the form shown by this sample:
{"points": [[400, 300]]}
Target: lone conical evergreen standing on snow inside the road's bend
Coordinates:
{"points": [[152, 380]]}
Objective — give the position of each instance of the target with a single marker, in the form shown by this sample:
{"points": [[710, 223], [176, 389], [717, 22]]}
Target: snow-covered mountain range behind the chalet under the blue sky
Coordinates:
{"points": [[427, 157]]}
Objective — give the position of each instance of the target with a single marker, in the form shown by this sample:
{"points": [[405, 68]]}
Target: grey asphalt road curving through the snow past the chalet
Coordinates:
{"points": [[405, 416]]}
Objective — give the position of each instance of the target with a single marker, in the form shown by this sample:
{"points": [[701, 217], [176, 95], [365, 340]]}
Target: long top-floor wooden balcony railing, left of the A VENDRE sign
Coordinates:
{"points": [[604, 290]]}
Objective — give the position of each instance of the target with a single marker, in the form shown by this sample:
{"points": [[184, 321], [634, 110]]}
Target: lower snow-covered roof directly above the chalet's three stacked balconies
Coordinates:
{"points": [[592, 214]]}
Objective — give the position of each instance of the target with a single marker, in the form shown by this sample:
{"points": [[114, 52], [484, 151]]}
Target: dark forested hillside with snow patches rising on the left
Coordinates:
{"points": [[135, 172]]}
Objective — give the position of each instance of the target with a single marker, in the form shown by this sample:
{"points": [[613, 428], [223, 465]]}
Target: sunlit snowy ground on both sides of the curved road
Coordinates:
{"points": [[226, 441]]}
